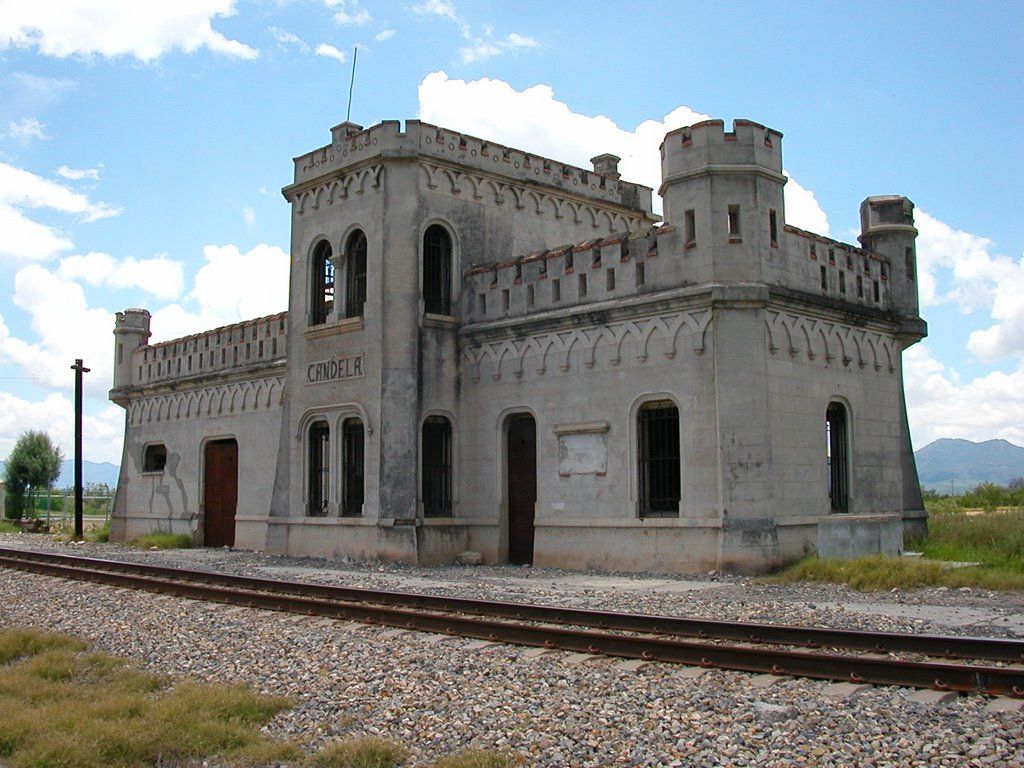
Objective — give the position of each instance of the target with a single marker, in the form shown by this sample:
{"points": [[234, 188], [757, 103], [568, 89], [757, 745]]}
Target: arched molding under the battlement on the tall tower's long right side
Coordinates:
{"points": [[539, 202]]}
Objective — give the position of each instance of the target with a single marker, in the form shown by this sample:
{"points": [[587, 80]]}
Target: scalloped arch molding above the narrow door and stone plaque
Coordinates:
{"points": [[560, 347]]}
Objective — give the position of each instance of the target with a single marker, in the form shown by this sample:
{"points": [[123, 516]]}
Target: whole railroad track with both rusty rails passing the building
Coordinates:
{"points": [[779, 650]]}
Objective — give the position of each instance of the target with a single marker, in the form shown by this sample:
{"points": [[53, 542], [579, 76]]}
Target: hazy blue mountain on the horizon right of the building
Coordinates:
{"points": [[967, 463]]}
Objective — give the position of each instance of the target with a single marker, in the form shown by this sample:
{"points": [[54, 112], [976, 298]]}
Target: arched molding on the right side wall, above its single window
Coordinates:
{"points": [[827, 342]]}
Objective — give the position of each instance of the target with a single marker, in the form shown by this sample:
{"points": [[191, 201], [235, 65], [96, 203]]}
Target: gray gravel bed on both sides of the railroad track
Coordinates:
{"points": [[439, 698]]}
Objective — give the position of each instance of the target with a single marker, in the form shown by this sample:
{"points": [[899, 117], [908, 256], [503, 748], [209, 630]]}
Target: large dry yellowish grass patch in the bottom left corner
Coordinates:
{"points": [[66, 708]]}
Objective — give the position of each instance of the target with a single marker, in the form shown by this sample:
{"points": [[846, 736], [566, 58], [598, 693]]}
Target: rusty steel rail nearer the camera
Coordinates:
{"points": [[943, 676]]}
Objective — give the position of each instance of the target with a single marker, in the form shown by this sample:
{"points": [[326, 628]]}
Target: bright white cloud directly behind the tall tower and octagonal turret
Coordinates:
{"points": [[535, 120]]}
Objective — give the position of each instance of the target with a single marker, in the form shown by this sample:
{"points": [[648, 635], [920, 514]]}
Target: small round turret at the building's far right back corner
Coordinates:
{"points": [[887, 229]]}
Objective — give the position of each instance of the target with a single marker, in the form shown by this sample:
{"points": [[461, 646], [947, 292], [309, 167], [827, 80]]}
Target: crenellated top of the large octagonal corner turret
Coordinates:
{"points": [[707, 148]]}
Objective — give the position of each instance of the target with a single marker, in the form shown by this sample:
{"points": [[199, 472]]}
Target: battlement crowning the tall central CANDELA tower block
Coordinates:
{"points": [[352, 145]]}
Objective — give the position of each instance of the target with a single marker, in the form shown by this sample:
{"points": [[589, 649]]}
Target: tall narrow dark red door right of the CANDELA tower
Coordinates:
{"points": [[523, 488]]}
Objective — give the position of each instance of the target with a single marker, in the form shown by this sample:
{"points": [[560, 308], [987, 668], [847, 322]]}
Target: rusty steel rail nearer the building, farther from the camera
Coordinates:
{"points": [[1010, 651]]}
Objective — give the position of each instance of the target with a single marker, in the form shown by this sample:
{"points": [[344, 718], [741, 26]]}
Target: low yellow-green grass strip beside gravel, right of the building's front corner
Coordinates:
{"points": [[882, 573]]}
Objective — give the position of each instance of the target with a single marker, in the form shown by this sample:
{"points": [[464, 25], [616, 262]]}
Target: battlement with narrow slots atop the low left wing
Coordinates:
{"points": [[263, 340]]}
